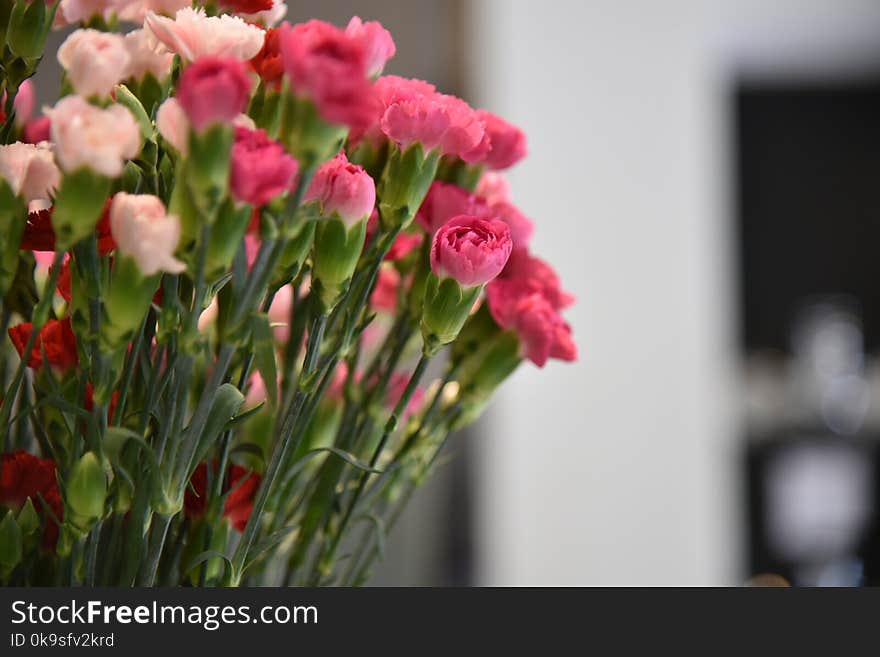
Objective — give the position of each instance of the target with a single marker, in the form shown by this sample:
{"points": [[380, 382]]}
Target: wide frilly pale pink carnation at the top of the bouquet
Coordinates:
{"points": [[192, 34]]}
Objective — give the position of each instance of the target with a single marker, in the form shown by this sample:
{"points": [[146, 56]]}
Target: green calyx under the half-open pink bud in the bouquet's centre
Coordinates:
{"points": [[335, 256]]}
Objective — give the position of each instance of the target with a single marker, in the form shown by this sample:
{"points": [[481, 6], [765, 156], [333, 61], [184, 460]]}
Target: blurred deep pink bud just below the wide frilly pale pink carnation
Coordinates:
{"points": [[214, 90]]}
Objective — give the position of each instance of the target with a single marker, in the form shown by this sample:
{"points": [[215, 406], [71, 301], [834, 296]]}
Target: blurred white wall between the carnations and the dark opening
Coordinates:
{"points": [[622, 469]]}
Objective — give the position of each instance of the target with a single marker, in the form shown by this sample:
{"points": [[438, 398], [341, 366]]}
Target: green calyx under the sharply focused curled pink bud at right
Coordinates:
{"points": [[446, 309]]}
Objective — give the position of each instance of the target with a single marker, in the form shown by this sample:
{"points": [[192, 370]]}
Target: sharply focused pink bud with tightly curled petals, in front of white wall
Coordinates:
{"points": [[471, 250]]}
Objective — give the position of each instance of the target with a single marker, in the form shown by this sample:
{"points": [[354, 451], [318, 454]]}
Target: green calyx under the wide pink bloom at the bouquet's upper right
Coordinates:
{"points": [[405, 181]]}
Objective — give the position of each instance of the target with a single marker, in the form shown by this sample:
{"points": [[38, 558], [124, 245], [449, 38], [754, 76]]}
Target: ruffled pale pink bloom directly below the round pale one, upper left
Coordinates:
{"points": [[88, 136]]}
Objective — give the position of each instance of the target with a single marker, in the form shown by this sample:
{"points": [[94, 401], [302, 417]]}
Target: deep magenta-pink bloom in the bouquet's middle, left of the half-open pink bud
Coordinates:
{"points": [[261, 169]]}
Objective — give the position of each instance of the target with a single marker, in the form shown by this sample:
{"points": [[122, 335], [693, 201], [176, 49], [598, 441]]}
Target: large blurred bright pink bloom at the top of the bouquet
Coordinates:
{"points": [[330, 68]]}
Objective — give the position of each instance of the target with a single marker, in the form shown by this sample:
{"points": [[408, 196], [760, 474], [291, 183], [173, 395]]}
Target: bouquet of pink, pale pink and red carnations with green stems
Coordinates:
{"points": [[250, 286]]}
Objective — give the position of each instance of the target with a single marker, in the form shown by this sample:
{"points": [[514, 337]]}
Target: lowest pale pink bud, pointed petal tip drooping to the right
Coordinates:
{"points": [[145, 232]]}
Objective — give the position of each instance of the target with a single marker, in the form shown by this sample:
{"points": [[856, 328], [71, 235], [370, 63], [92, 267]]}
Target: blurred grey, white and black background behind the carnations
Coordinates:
{"points": [[705, 176]]}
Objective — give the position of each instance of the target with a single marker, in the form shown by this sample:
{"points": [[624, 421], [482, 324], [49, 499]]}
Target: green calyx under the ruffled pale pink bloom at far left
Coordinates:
{"points": [[78, 206]]}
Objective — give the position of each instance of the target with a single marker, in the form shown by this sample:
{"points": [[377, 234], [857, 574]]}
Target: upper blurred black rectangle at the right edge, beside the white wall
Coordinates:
{"points": [[809, 166]]}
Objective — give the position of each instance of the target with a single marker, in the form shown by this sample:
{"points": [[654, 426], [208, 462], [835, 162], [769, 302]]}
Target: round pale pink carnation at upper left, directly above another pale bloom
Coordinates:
{"points": [[95, 61]]}
